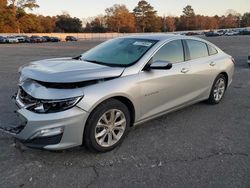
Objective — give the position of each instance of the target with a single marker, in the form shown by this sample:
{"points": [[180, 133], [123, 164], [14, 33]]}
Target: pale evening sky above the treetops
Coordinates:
{"points": [[84, 9]]}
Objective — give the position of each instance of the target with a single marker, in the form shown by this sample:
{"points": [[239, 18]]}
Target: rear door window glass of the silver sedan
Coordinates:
{"points": [[197, 49]]}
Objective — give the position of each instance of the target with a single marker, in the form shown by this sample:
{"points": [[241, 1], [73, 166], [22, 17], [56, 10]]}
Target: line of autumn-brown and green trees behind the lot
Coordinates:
{"points": [[118, 18]]}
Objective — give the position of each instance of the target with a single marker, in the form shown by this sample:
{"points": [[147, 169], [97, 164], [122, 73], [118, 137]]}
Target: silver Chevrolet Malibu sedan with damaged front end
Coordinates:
{"points": [[94, 99]]}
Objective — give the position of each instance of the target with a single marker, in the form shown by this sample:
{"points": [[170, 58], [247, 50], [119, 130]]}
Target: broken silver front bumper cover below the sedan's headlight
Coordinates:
{"points": [[72, 122]]}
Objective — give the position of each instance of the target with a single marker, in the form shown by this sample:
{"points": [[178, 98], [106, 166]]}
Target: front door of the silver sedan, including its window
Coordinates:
{"points": [[162, 90]]}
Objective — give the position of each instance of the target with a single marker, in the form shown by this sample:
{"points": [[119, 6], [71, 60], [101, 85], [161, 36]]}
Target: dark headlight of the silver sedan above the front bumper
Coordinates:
{"points": [[52, 106]]}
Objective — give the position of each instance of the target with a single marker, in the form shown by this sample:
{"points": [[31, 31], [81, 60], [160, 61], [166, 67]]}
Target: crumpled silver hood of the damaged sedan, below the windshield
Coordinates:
{"points": [[67, 70]]}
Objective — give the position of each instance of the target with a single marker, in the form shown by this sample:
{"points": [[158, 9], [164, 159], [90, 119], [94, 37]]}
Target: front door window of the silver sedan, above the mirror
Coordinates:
{"points": [[172, 52]]}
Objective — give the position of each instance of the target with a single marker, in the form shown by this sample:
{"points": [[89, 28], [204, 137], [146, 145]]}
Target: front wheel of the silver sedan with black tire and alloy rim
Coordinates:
{"points": [[107, 126]]}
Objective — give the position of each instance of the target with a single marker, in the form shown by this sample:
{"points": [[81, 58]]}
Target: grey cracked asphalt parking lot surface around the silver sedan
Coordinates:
{"points": [[199, 146]]}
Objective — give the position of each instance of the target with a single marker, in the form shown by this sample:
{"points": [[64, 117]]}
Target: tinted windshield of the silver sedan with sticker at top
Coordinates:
{"points": [[120, 52]]}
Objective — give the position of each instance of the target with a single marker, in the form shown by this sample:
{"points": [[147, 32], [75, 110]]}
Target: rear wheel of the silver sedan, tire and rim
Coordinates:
{"points": [[218, 90]]}
